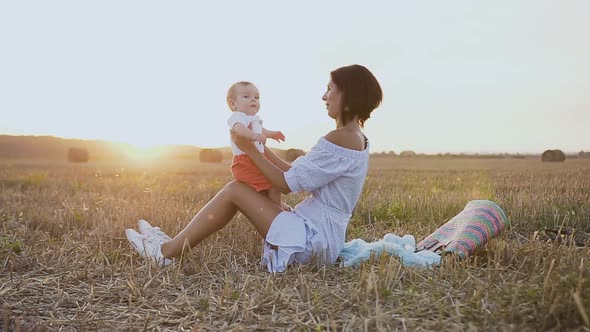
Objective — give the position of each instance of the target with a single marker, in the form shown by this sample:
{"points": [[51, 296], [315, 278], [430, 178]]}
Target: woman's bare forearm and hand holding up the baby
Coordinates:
{"points": [[273, 173]]}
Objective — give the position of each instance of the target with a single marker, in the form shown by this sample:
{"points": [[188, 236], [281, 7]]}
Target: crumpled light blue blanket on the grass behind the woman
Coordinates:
{"points": [[358, 251]]}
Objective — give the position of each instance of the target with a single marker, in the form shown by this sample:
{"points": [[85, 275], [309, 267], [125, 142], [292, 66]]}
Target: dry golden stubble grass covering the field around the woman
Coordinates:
{"points": [[65, 264]]}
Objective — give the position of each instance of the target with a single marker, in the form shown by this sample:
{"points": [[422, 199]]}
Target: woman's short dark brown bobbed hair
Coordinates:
{"points": [[361, 93]]}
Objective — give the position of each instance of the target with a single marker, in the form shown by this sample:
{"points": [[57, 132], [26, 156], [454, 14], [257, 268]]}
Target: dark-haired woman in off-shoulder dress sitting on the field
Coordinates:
{"points": [[333, 172]]}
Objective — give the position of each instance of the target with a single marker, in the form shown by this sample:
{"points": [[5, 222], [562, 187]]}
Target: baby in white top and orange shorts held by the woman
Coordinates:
{"points": [[243, 99]]}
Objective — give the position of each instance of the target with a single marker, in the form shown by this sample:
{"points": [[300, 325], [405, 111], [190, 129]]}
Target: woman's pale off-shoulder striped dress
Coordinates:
{"points": [[317, 226]]}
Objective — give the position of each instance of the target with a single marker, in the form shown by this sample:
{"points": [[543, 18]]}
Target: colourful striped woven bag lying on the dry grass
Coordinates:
{"points": [[472, 228]]}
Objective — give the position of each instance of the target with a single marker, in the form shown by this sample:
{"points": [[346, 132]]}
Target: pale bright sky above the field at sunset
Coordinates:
{"points": [[457, 76]]}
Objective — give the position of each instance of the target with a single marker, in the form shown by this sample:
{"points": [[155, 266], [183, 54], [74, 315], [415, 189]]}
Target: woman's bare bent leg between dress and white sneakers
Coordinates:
{"points": [[219, 211]]}
